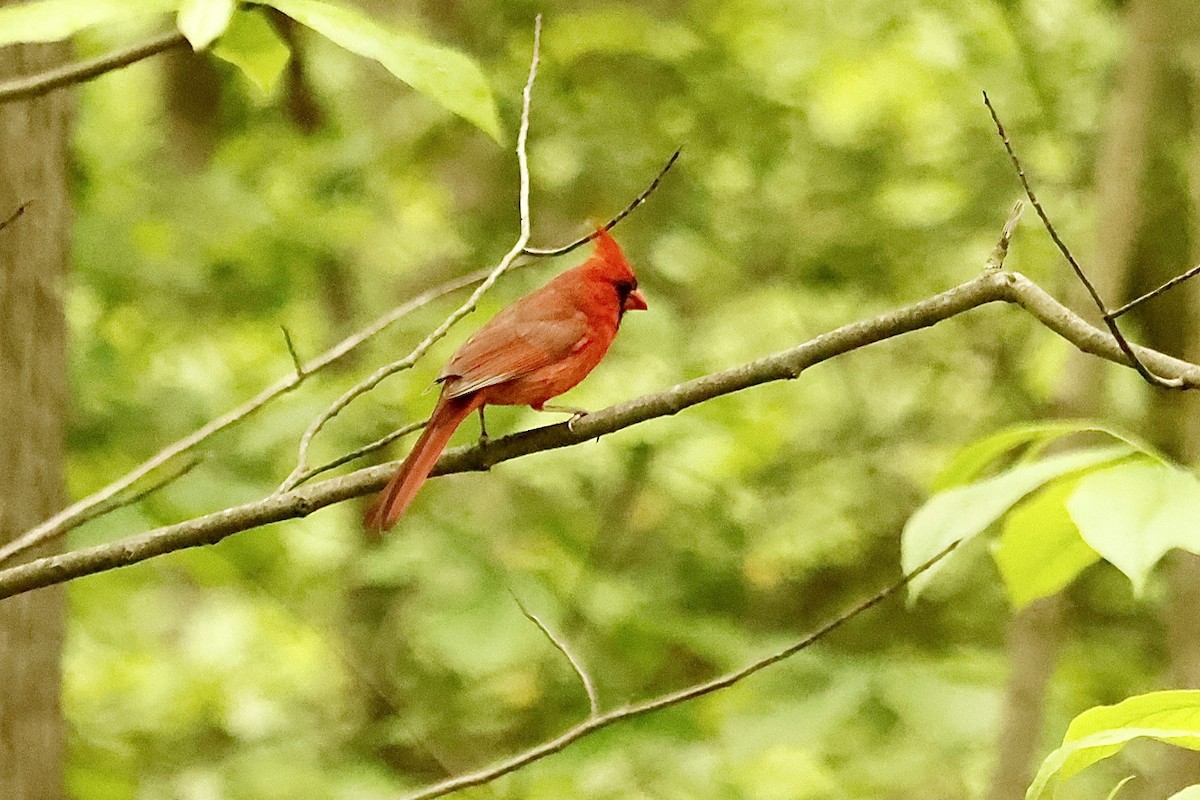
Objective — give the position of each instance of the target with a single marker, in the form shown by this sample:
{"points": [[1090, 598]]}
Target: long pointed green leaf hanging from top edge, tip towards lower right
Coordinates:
{"points": [[445, 75]]}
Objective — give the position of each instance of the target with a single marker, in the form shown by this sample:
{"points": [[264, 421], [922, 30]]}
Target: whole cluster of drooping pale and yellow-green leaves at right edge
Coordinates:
{"points": [[1094, 504]]}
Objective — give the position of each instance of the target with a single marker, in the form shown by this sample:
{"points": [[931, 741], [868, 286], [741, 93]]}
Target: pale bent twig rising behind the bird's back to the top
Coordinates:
{"points": [[387, 371]]}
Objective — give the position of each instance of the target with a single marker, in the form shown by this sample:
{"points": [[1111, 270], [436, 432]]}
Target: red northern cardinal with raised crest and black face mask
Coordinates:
{"points": [[533, 351]]}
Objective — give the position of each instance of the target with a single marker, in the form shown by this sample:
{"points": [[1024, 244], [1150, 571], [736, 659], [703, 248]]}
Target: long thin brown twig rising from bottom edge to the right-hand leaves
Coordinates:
{"points": [[596, 724]]}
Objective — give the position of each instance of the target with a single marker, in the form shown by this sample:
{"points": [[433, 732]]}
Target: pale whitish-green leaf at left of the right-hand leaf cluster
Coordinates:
{"points": [[967, 512]]}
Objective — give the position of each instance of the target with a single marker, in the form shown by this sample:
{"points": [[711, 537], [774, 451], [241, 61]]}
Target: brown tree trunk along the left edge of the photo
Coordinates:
{"points": [[33, 394]]}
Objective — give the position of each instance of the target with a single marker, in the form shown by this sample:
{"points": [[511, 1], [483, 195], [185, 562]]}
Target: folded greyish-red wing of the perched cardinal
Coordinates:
{"points": [[533, 334]]}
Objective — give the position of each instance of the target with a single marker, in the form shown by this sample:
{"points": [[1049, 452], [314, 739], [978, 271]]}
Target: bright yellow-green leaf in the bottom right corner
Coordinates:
{"points": [[1172, 717]]}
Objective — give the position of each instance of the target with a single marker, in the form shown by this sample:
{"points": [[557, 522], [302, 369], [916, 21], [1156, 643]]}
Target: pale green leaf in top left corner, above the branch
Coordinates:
{"points": [[52, 21]]}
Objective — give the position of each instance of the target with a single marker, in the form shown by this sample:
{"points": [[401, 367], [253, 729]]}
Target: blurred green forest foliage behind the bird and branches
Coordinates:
{"points": [[838, 163]]}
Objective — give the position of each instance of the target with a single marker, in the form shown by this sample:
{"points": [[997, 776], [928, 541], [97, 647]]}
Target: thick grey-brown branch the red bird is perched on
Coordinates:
{"points": [[989, 287]]}
